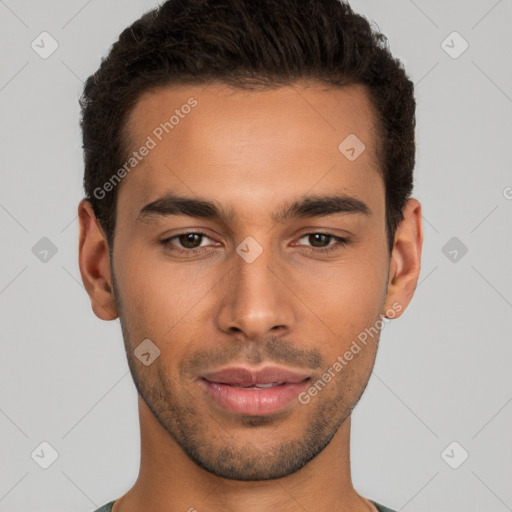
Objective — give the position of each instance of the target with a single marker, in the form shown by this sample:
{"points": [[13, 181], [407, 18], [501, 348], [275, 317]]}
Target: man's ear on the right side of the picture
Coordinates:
{"points": [[405, 262]]}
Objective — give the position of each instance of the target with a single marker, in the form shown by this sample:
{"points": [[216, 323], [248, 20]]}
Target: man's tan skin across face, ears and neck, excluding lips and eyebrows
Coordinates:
{"points": [[293, 306]]}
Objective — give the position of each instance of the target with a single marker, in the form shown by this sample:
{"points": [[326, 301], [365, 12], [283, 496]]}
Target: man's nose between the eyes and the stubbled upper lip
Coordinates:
{"points": [[255, 300]]}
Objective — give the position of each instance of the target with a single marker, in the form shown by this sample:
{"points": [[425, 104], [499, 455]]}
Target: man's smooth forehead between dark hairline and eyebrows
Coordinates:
{"points": [[260, 146]]}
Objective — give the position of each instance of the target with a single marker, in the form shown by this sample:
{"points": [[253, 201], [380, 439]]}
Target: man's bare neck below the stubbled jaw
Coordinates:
{"points": [[169, 481]]}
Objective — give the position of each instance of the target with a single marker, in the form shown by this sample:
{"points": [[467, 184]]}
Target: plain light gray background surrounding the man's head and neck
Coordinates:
{"points": [[443, 370]]}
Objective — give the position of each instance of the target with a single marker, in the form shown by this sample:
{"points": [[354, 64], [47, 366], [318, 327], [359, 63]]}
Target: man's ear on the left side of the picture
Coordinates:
{"points": [[94, 263]]}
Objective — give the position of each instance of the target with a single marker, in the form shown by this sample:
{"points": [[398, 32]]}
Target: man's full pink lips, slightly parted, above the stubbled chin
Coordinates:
{"points": [[224, 388]]}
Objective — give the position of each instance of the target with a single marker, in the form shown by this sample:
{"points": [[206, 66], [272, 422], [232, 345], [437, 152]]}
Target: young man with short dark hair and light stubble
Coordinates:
{"points": [[248, 171]]}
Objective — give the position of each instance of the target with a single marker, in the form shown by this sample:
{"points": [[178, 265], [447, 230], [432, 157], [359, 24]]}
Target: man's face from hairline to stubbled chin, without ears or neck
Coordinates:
{"points": [[284, 263]]}
